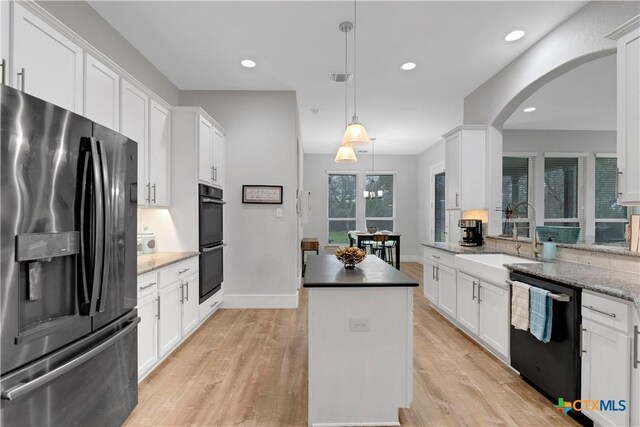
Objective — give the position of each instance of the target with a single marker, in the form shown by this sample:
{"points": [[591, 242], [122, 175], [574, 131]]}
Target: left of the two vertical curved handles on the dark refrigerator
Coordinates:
{"points": [[98, 232]]}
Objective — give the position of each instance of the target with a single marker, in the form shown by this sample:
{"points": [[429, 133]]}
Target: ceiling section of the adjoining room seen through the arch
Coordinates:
{"points": [[582, 99]]}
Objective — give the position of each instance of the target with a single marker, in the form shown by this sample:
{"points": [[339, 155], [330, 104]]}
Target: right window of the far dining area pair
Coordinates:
{"points": [[379, 212]]}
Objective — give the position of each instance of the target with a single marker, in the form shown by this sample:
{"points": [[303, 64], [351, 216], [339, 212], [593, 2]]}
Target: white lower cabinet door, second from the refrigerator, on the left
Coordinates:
{"points": [[169, 317]]}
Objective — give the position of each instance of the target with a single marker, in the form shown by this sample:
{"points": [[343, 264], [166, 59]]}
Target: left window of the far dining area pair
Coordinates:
{"points": [[342, 207]]}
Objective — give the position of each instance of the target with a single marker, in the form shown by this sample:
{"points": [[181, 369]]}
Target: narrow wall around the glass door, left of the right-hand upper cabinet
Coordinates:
{"points": [[425, 161]]}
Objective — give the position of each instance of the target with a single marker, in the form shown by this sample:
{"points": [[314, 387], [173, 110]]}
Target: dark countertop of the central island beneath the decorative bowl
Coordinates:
{"points": [[326, 271]]}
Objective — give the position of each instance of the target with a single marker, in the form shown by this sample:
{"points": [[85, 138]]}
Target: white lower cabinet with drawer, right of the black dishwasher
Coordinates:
{"points": [[607, 359]]}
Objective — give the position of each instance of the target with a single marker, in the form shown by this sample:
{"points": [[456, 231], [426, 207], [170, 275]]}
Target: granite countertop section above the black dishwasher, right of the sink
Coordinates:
{"points": [[615, 283]]}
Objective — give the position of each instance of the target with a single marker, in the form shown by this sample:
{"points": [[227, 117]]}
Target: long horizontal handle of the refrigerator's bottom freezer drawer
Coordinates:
{"points": [[21, 389]]}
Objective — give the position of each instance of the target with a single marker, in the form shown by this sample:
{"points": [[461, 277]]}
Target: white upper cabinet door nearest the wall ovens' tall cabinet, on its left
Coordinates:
{"points": [[158, 152]]}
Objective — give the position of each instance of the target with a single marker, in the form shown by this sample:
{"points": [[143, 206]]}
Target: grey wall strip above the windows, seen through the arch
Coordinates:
{"points": [[572, 141]]}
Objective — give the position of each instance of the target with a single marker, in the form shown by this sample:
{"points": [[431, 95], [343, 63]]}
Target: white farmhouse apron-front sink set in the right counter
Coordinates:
{"points": [[489, 267]]}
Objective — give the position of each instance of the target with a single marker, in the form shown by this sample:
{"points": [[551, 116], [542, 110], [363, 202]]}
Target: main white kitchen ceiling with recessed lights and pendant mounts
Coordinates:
{"points": [[457, 45]]}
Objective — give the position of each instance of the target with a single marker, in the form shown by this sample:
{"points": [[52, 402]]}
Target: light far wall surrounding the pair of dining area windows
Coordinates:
{"points": [[406, 209]]}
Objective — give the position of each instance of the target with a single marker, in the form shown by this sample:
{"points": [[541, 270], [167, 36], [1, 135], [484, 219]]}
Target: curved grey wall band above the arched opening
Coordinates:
{"points": [[574, 42]]}
